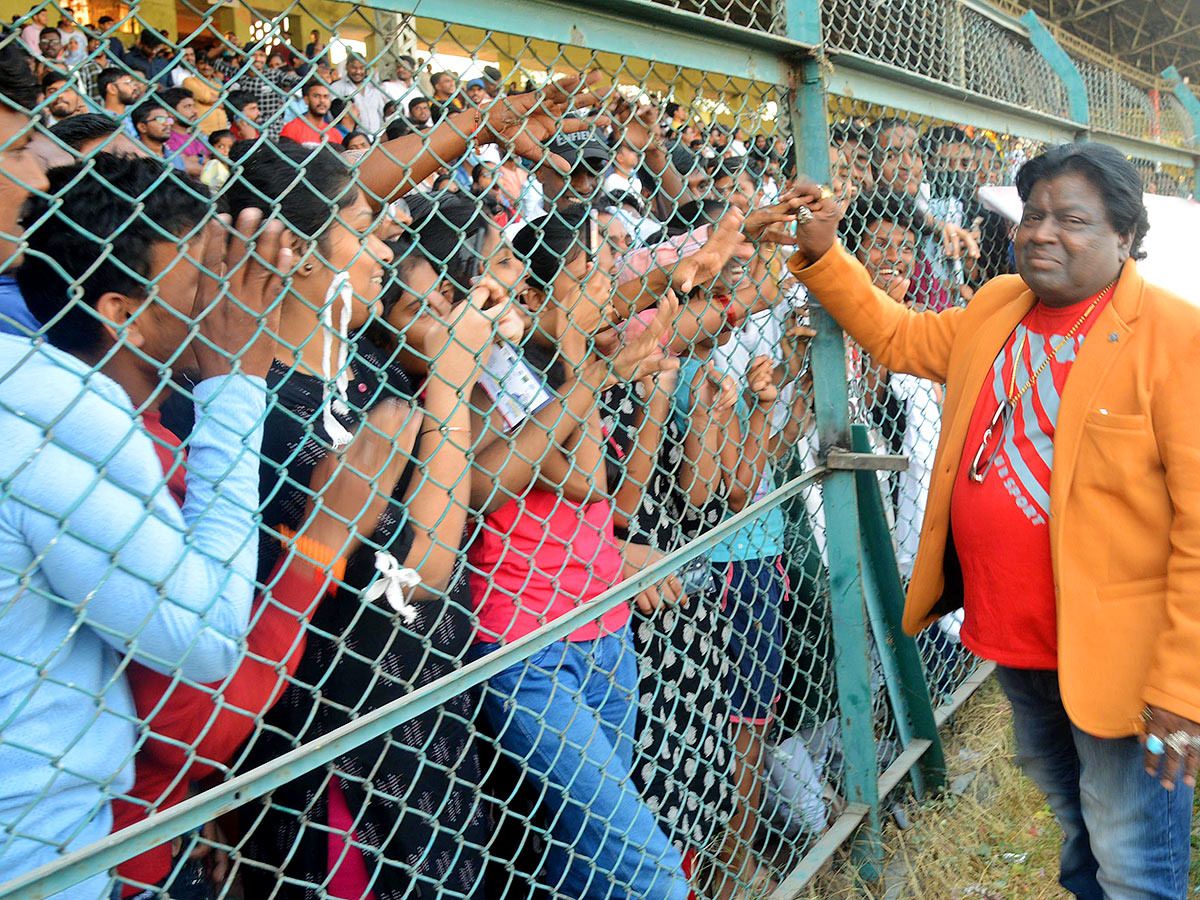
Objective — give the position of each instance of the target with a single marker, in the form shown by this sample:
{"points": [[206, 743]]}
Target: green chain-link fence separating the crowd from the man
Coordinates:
{"points": [[423, 476]]}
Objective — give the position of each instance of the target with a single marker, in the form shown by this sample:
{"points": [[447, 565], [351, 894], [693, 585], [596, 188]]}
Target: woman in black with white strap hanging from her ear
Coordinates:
{"points": [[407, 801]]}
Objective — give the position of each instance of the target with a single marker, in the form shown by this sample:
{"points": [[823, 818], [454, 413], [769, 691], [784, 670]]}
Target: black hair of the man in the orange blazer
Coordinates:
{"points": [[1112, 175]]}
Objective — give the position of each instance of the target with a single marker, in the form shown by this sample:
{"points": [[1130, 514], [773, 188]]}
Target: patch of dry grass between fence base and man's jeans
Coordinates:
{"points": [[998, 841]]}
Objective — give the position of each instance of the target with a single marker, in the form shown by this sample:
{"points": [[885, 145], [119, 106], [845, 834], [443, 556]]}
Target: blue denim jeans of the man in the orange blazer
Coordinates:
{"points": [[1125, 837]]}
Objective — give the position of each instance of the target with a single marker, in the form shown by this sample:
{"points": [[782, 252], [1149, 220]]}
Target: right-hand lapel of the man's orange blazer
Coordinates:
{"points": [[1105, 343]]}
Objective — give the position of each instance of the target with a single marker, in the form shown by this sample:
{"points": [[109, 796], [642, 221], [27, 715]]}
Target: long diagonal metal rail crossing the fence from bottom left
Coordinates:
{"points": [[194, 813]]}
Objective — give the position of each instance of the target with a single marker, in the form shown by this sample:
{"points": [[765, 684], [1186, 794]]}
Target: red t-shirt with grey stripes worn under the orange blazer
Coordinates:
{"points": [[1000, 527]]}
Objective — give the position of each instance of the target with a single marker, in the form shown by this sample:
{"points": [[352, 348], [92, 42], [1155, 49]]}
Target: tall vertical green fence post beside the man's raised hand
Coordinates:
{"points": [[811, 131]]}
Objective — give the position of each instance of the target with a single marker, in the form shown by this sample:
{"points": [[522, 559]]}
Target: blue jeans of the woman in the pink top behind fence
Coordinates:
{"points": [[568, 716]]}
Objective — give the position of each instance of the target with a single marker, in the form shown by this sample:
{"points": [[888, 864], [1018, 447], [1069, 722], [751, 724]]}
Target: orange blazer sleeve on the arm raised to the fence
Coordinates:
{"points": [[896, 337]]}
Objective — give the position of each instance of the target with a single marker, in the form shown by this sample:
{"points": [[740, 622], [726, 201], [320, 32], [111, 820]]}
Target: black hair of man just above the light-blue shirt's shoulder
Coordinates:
{"points": [[97, 227]]}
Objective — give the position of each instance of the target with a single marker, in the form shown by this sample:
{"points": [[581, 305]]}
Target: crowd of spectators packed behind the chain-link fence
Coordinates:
{"points": [[472, 359]]}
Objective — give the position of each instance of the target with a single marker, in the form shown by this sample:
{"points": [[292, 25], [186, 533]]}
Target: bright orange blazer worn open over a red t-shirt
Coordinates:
{"points": [[1125, 491]]}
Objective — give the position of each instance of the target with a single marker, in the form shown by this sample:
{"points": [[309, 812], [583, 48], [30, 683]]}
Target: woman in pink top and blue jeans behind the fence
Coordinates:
{"points": [[548, 547]]}
